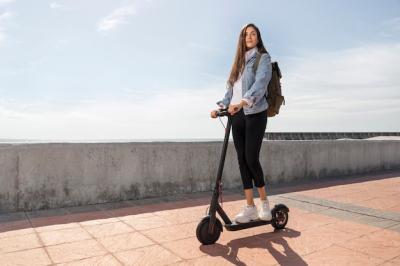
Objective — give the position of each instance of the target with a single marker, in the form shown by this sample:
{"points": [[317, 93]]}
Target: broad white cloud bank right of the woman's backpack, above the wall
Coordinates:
{"points": [[347, 90]]}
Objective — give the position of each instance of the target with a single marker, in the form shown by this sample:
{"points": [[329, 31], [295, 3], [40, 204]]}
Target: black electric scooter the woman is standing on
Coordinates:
{"points": [[210, 227]]}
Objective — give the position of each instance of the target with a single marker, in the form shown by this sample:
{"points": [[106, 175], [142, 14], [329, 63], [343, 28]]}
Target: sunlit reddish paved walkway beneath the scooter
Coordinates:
{"points": [[352, 221]]}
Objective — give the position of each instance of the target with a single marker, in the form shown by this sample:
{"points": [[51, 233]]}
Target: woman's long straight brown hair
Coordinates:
{"points": [[238, 63]]}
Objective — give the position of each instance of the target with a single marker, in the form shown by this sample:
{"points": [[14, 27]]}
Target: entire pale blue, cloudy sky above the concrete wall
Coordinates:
{"points": [[87, 70]]}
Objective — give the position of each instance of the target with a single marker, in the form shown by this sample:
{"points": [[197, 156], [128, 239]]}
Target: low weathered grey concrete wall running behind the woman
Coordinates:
{"points": [[36, 176]]}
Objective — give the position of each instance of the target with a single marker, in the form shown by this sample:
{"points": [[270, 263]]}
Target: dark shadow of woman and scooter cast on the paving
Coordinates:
{"points": [[263, 241]]}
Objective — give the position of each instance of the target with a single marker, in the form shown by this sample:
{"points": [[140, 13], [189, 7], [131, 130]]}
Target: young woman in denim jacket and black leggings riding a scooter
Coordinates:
{"points": [[248, 108]]}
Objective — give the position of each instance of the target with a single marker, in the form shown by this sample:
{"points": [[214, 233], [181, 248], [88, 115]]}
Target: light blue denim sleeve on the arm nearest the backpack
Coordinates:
{"points": [[262, 78]]}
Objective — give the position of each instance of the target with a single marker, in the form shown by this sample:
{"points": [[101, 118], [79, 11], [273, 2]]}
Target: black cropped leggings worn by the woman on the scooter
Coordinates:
{"points": [[248, 133]]}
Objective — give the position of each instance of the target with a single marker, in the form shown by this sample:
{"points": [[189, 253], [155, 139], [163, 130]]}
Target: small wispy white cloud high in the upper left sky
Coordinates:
{"points": [[116, 18]]}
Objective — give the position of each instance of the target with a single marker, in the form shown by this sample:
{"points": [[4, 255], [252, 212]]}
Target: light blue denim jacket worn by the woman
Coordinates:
{"points": [[254, 87]]}
